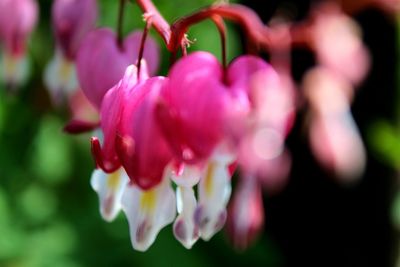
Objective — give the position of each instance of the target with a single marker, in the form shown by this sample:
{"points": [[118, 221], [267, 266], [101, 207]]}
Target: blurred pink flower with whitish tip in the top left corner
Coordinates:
{"points": [[17, 20]]}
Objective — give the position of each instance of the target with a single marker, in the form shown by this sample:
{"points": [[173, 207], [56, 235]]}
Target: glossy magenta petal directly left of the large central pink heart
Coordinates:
{"points": [[141, 147]]}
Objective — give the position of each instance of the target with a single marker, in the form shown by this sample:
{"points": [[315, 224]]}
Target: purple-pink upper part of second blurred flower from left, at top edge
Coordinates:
{"points": [[72, 20]]}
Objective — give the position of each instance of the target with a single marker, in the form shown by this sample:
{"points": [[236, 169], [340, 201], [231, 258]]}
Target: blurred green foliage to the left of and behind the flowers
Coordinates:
{"points": [[49, 215]]}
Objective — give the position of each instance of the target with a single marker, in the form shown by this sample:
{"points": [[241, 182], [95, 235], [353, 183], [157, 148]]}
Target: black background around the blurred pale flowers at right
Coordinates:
{"points": [[316, 221]]}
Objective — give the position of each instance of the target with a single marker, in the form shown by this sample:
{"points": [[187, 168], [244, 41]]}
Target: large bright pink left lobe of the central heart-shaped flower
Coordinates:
{"points": [[191, 112]]}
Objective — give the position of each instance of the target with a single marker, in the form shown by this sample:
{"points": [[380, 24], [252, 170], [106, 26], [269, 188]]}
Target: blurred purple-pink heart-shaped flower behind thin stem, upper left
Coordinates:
{"points": [[101, 62]]}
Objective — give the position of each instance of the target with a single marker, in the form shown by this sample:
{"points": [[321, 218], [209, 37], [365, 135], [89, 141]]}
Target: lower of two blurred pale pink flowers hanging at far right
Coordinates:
{"points": [[334, 136]]}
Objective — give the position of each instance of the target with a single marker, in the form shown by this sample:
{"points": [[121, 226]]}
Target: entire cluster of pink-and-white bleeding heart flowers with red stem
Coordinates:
{"points": [[166, 148]]}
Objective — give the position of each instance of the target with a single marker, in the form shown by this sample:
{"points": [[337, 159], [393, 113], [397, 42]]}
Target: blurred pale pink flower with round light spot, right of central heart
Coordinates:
{"points": [[261, 145]]}
